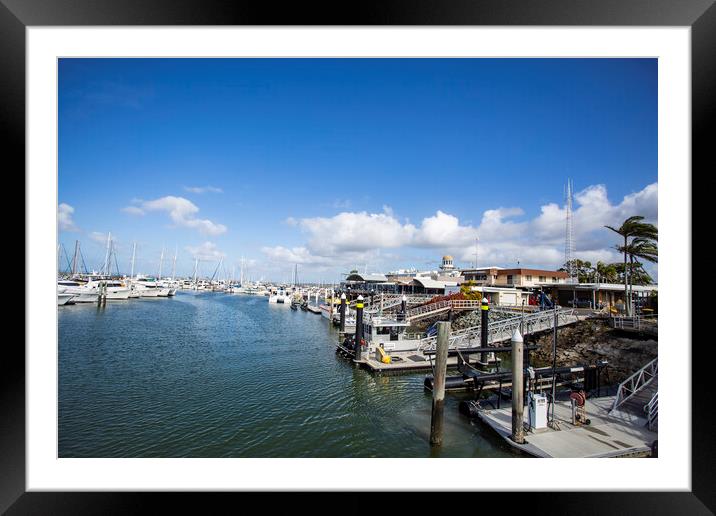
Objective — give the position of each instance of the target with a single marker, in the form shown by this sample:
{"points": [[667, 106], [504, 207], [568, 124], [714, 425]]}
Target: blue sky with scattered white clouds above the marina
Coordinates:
{"points": [[335, 163]]}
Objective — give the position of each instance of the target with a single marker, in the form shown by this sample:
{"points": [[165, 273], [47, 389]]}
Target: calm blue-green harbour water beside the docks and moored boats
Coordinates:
{"points": [[216, 375]]}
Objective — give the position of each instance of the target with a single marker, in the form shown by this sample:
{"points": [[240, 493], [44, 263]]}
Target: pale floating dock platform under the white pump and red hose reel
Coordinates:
{"points": [[616, 435]]}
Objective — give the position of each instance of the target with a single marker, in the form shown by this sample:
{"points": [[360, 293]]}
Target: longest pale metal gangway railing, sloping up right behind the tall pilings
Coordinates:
{"points": [[503, 330]]}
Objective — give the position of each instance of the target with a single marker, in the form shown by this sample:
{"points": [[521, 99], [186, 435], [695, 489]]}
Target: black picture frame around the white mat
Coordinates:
{"points": [[700, 15]]}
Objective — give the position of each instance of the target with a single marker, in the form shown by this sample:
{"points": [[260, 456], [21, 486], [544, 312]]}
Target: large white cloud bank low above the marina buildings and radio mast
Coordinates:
{"points": [[504, 239]]}
